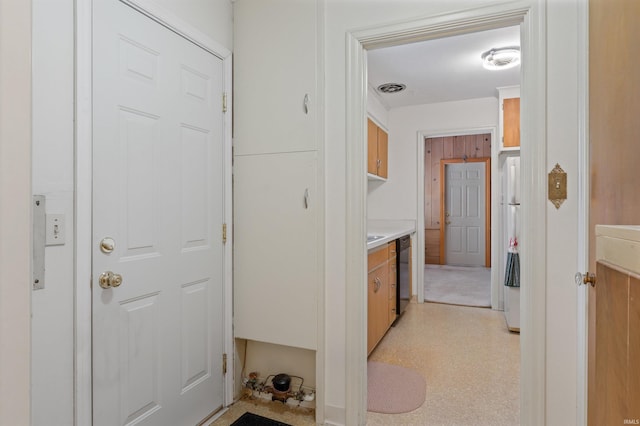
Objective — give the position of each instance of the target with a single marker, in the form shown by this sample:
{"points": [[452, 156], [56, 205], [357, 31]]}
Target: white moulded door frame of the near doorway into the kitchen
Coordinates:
{"points": [[532, 17]]}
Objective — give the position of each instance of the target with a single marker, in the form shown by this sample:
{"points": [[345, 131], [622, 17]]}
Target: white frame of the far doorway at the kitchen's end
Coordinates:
{"points": [[420, 243]]}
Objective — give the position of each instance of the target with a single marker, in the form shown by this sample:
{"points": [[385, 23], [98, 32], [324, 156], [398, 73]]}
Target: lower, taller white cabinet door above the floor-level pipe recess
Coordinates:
{"points": [[275, 248]]}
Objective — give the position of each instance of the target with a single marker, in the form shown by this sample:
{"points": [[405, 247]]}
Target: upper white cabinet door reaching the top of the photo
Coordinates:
{"points": [[274, 70]]}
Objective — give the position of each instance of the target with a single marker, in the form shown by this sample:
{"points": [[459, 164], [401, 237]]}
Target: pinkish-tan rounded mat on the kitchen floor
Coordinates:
{"points": [[392, 389]]}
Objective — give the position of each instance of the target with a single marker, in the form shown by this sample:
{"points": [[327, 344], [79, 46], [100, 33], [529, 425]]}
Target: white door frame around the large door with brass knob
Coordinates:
{"points": [[83, 188]]}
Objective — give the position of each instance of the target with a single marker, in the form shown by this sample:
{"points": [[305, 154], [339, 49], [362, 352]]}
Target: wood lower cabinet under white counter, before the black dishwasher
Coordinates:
{"points": [[381, 293]]}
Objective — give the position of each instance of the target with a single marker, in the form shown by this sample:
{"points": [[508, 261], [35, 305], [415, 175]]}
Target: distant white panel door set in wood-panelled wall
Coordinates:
{"points": [[465, 214]]}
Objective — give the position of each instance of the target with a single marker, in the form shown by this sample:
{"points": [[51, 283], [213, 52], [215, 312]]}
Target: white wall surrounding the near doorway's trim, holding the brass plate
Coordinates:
{"points": [[345, 16]]}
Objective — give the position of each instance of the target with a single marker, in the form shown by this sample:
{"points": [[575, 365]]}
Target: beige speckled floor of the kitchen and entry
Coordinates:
{"points": [[470, 361]]}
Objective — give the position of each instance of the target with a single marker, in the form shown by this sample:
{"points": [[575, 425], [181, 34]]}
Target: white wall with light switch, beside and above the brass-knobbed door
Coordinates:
{"points": [[53, 176]]}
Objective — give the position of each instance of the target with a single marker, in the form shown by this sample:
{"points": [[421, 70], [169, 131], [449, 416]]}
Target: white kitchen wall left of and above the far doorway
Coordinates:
{"points": [[397, 197]]}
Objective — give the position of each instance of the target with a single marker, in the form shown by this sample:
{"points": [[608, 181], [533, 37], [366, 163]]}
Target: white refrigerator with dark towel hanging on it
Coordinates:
{"points": [[511, 215]]}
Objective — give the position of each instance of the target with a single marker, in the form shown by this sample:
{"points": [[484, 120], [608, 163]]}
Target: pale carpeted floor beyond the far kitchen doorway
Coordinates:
{"points": [[458, 285]]}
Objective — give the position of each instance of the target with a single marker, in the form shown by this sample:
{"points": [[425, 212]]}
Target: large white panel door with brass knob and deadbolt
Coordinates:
{"points": [[157, 192]]}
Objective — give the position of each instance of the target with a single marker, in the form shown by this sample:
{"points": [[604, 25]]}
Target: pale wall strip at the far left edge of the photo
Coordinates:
{"points": [[15, 207]]}
